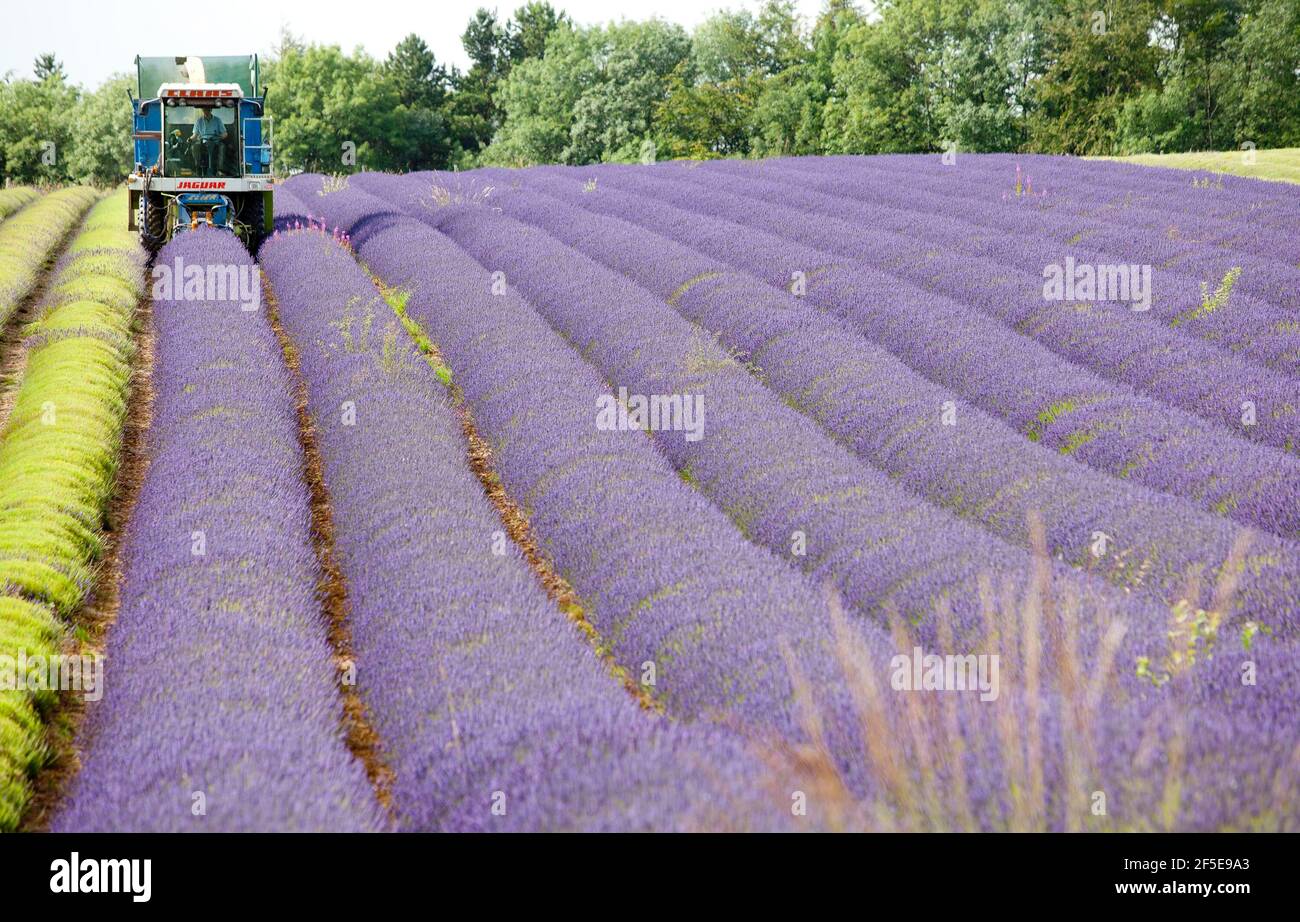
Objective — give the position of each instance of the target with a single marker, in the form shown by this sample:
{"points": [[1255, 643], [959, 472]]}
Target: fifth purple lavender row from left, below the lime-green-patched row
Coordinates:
{"points": [[895, 419]]}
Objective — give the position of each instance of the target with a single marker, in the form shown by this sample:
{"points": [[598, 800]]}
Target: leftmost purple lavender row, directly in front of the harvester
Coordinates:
{"points": [[220, 709]]}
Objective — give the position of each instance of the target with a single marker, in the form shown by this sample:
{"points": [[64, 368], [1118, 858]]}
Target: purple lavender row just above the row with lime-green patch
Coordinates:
{"points": [[1147, 357]]}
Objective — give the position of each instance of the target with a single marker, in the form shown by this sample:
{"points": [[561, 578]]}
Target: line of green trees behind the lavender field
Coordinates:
{"points": [[1087, 77]]}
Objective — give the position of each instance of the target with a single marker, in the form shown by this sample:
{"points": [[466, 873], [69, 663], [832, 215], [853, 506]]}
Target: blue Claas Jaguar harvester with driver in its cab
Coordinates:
{"points": [[203, 149]]}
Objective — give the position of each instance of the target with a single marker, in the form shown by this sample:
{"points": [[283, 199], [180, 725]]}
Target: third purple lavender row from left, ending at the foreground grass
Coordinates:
{"points": [[671, 586]]}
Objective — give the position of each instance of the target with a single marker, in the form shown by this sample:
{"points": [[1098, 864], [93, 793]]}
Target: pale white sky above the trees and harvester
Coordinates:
{"points": [[97, 38]]}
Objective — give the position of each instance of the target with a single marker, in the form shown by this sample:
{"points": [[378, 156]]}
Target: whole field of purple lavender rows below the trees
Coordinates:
{"points": [[801, 495]]}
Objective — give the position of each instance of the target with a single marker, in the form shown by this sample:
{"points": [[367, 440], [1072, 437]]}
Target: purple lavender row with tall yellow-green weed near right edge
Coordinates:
{"points": [[1032, 240]]}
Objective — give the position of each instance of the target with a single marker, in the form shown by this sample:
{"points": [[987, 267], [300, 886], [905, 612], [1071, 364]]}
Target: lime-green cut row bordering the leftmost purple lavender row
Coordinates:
{"points": [[59, 457]]}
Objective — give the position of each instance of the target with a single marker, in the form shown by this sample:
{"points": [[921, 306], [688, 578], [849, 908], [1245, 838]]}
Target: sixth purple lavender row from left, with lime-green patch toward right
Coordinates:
{"points": [[1100, 423]]}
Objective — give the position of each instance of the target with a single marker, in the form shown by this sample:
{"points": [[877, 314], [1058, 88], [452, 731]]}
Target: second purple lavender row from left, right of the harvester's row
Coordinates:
{"points": [[513, 699]]}
